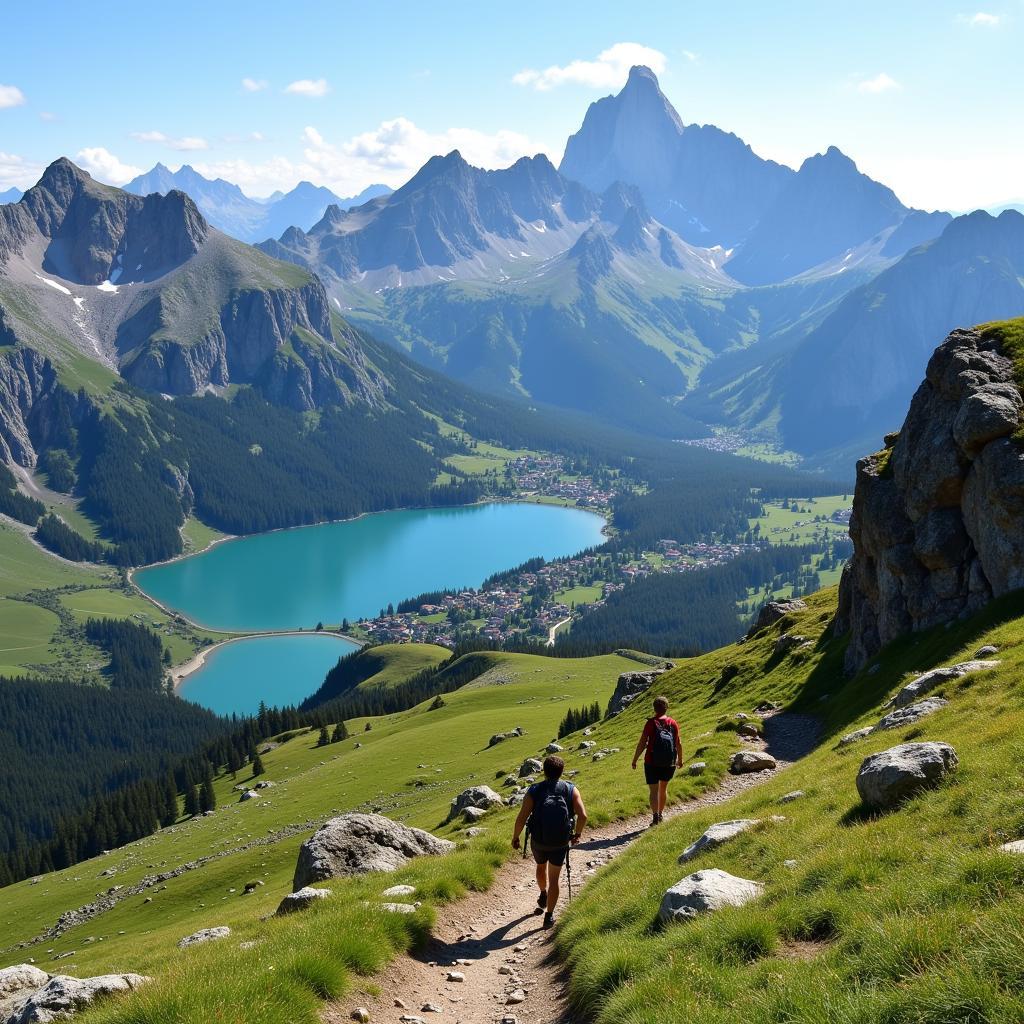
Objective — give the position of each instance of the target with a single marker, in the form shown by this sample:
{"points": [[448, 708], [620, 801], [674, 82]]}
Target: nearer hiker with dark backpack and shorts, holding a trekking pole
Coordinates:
{"points": [[557, 818]]}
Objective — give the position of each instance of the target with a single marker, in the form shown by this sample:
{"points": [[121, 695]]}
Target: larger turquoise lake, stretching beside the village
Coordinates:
{"points": [[293, 579]]}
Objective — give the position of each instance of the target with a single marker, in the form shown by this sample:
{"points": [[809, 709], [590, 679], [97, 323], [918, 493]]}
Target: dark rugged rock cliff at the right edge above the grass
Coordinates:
{"points": [[938, 516]]}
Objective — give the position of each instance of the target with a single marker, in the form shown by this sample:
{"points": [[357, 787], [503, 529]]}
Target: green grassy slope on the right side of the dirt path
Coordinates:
{"points": [[915, 916]]}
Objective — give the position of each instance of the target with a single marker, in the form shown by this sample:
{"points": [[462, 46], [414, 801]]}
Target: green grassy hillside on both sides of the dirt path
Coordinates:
{"points": [[855, 931]]}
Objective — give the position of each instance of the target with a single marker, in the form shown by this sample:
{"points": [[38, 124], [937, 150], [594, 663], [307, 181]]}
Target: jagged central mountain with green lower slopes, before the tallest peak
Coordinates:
{"points": [[525, 282]]}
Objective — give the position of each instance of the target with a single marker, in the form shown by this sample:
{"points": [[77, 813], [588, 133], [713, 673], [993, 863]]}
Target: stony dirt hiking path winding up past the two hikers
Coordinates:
{"points": [[495, 942]]}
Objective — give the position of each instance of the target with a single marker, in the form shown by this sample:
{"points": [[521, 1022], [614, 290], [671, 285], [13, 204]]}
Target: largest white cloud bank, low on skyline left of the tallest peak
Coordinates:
{"points": [[390, 154]]}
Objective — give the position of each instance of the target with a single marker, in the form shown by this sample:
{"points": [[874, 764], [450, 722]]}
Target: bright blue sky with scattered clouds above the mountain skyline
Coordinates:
{"points": [[926, 97]]}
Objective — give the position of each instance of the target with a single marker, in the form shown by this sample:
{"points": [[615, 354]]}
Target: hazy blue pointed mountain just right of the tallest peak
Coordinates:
{"points": [[830, 210]]}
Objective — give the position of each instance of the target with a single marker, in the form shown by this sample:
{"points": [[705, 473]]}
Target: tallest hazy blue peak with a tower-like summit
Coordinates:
{"points": [[705, 184]]}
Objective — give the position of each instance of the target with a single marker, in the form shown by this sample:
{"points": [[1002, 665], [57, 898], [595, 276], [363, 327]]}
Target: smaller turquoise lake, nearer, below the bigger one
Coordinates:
{"points": [[279, 670]]}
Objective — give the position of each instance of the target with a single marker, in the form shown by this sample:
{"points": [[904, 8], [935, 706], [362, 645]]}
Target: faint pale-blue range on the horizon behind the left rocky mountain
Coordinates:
{"points": [[229, 209]]}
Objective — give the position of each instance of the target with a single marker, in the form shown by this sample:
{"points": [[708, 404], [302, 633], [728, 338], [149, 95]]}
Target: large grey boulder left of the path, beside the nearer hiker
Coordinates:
{"points": [[356, 844]]}
